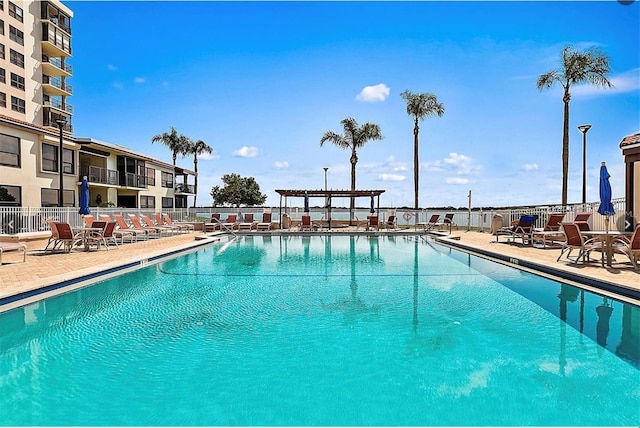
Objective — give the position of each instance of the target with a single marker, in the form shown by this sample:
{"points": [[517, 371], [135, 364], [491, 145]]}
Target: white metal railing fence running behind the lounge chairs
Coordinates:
{"points": [[19, 220]]}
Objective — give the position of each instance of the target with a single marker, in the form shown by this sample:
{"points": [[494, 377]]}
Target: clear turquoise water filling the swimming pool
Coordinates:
{"points": [[322, 331]]}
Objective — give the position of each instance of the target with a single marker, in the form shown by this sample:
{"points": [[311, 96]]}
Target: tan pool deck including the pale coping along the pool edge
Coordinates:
{"points": [[46, 270]]}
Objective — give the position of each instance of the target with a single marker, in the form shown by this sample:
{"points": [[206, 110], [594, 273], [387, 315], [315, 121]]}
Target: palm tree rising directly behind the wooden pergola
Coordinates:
{"points": [[353, 138]]}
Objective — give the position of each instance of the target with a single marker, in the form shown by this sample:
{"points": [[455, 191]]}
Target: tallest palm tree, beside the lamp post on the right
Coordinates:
{"points": [[590, 66]]}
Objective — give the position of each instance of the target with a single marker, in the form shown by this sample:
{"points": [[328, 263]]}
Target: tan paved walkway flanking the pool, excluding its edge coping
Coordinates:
{"points": [[43, 269]]}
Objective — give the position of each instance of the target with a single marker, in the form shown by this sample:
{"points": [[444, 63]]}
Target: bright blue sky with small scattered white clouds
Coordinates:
{"points": [[261, 82]]}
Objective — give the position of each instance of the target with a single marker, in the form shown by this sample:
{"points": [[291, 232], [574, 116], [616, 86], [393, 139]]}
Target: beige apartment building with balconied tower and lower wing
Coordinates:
{"points": [[39, 154]]}
